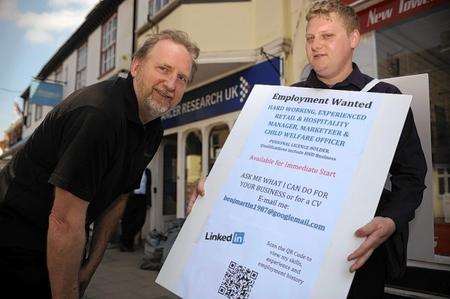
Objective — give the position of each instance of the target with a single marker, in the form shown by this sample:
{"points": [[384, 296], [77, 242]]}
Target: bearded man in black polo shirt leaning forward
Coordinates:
{"points": [[89, 150]]}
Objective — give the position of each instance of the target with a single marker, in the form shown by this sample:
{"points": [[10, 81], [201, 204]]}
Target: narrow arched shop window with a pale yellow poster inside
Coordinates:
{"points": [[193, 160]]}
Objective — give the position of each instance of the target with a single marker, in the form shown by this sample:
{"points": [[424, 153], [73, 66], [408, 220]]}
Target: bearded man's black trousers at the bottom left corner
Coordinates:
{"points": [[23, 273]]}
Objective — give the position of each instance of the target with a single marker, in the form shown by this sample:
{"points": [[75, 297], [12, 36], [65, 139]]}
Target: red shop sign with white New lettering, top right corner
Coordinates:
{"points": [[390, 11]]}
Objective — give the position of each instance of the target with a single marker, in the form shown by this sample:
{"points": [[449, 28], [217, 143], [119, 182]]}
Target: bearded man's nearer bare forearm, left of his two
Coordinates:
{"points": [[65, 244]]}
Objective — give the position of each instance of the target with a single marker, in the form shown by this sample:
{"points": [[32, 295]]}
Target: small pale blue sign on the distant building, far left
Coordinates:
{"points": [[45, 93]]}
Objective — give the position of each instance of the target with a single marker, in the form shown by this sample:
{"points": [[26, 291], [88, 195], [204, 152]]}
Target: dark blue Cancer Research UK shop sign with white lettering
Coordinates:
{"points": [[223, 96]]}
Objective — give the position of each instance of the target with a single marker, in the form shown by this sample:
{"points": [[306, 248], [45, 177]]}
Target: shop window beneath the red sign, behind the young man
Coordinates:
{"points": [[422, 45]]}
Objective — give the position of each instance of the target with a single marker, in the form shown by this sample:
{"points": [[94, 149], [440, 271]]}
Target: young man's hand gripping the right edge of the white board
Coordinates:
{"points": [[376, 232]]}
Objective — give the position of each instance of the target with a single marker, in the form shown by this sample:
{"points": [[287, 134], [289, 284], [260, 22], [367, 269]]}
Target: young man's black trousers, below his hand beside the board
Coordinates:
{"points": [[370, 279]]}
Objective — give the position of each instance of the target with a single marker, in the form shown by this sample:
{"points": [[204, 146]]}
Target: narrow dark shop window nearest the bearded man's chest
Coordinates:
{"points": [[170, 175]]}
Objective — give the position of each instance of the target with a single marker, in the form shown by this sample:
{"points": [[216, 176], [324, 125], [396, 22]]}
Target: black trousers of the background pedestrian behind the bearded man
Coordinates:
{"points": [[133, 218]]}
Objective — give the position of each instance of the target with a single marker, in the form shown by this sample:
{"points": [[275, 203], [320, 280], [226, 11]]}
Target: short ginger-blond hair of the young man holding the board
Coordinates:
{"points": [[324, 8]]}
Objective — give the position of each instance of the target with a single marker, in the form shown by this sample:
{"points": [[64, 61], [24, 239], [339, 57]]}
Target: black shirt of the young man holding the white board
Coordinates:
{"points": [[407, 170]]}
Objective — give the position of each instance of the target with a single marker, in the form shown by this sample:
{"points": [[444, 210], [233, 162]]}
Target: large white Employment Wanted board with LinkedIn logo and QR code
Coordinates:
{"points": [[301, 170]]}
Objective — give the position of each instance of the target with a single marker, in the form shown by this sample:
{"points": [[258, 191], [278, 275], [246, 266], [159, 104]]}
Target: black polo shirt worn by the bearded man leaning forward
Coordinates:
{"points": [[93, 145]]}
